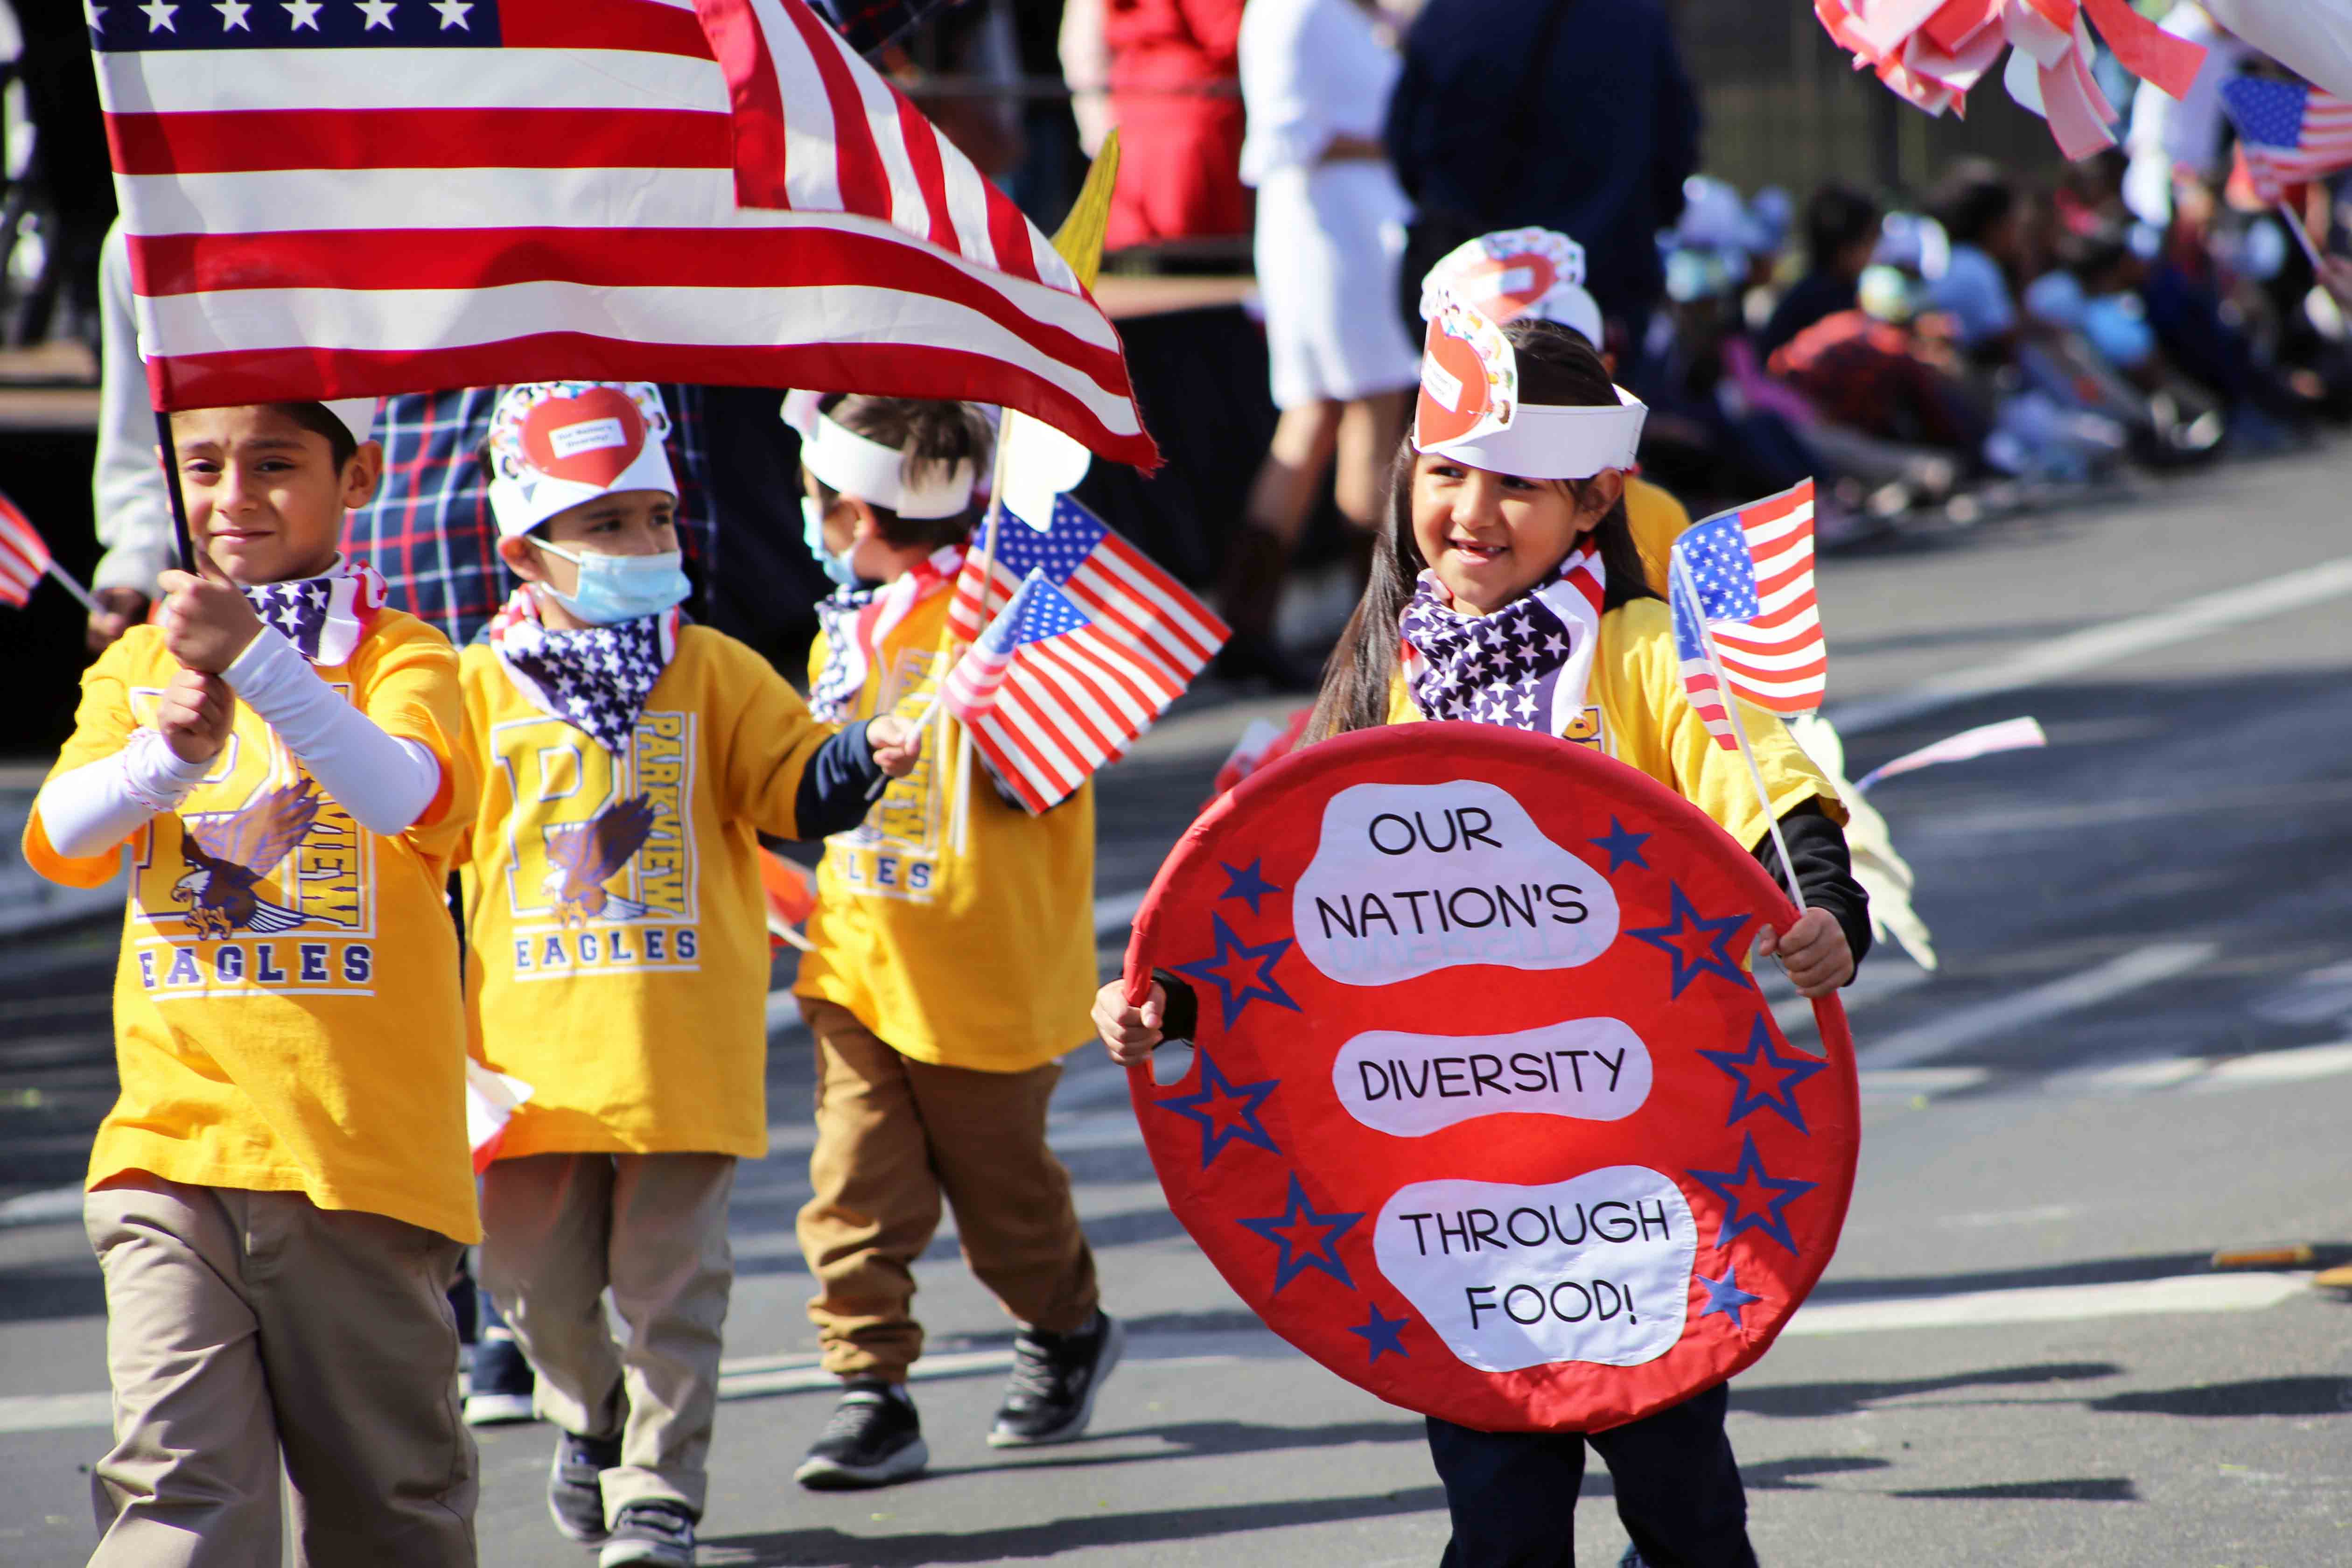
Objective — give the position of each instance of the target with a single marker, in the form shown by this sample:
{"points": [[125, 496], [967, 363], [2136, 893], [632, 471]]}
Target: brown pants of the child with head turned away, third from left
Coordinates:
{"points": [[893, 1139]]}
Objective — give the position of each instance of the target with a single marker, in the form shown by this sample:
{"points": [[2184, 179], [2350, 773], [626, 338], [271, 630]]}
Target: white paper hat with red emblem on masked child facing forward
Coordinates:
{"points": [[556, 445]]}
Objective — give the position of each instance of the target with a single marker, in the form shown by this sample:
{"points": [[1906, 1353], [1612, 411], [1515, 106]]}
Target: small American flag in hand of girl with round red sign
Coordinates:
{"points": [[1749, 577]]}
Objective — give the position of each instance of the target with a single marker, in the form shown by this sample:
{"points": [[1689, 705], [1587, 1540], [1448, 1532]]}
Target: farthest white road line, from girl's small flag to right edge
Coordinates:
{"points": [[2102, 645]]}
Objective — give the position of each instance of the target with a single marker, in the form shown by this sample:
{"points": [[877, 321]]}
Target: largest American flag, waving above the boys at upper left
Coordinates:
{"points": [[333, 199]]}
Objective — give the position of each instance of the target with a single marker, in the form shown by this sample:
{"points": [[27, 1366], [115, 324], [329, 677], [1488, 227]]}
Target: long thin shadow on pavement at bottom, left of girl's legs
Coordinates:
{"points": [[1060, 1536]]}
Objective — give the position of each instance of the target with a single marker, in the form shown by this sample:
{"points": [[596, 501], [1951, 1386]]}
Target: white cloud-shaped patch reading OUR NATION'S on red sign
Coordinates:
{"points": [[1419, 878]]}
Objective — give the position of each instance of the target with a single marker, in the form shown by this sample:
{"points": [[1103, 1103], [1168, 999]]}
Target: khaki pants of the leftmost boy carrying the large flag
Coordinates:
{"points": [[248, 1329]]}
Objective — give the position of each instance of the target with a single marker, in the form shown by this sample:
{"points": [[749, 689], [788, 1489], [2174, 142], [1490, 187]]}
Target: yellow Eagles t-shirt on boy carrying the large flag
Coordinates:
{"points": [[288, 1010]]}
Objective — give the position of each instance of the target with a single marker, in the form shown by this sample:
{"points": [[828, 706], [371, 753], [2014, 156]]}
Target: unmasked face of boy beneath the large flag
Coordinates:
{"points": [[265, 497]]}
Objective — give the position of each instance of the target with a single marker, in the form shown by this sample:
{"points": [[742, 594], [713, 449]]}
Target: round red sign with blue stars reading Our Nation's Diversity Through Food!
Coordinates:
{"points": [[1485, 1111]]}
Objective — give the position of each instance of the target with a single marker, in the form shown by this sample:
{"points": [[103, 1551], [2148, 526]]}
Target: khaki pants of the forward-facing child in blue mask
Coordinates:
{"points": [[559, 1231]]}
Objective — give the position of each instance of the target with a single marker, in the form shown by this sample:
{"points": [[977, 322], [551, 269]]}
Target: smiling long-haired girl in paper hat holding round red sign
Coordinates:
{"points": [[1509, 591]]}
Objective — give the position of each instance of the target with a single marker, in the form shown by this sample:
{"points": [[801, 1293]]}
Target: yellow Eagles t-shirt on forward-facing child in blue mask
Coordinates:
{"points": [[615, 925]]}
